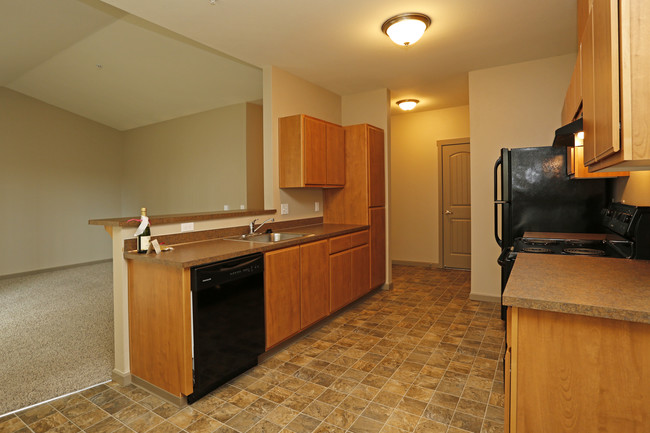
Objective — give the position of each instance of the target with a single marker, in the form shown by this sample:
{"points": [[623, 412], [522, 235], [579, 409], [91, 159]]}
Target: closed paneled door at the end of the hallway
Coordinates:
{"points": [[455, 203]]}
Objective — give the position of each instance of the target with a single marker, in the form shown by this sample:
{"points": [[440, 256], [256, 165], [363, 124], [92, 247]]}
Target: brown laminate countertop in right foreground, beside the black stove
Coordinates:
{"points": [[592, 286]]}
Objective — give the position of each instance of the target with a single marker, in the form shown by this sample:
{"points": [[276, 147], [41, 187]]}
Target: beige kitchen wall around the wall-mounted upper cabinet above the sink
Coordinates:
{"points": [[286, 95]]}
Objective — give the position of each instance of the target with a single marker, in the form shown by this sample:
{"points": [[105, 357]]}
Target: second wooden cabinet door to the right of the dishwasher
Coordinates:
{"points": [[314, 276]]}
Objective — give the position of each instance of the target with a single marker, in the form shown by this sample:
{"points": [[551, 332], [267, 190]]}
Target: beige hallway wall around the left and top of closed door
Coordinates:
{"points": [[415, 213]]}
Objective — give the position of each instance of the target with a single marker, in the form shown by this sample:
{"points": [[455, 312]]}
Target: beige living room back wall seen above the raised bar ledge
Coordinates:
{"points": [[194, 163]]}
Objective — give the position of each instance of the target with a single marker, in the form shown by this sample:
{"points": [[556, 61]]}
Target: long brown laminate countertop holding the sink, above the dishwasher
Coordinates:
{"points": [[213, 250]]}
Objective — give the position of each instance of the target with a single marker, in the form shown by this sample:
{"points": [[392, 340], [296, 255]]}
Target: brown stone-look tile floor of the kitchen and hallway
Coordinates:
{"points": [[419, 358]]}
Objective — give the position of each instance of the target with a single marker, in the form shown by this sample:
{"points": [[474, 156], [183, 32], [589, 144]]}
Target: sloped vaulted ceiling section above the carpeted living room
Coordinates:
{"points": [[106, 65]]}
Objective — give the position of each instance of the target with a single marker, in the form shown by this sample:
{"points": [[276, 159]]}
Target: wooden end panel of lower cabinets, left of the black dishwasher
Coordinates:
{"points": [[158, 310]]}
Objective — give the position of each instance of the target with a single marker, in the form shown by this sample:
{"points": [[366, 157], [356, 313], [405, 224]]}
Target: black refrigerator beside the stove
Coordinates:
{"points": [[532, 192]]}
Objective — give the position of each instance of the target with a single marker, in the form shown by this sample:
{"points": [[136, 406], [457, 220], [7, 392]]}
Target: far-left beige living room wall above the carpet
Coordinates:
{"points": [[57, 171]]}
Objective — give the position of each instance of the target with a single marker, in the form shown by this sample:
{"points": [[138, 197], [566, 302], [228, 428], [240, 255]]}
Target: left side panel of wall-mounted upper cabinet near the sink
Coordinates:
{"points": [[290, 136]]}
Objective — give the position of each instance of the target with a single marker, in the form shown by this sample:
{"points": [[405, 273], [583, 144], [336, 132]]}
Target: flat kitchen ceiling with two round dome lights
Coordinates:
{"points": [[338, 44]]}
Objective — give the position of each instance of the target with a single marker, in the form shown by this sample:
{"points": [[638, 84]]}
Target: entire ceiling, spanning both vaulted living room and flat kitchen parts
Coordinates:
{"points": [[51, 50]]}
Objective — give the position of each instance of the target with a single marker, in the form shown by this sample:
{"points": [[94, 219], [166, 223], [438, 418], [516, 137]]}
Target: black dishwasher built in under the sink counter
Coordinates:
{"points": [[227, 320]]}
